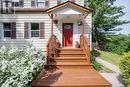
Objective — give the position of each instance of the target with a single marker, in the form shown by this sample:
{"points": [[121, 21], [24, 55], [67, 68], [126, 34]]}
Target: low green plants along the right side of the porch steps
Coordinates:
{"points": [[96, 65]]}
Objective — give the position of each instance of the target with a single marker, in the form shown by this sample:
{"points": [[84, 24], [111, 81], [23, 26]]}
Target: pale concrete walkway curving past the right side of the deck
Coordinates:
{"points": [[114, 78]]}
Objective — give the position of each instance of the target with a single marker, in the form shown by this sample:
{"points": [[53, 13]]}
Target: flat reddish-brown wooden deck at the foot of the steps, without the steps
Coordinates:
{"points": [[70, 78]]}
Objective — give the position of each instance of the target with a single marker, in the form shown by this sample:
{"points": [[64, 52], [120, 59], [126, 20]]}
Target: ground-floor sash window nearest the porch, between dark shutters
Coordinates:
{"points": [[34, 29]]}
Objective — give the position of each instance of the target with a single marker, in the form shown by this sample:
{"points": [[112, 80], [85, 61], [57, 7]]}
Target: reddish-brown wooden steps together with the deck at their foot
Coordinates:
{"points": [[69, 69]]}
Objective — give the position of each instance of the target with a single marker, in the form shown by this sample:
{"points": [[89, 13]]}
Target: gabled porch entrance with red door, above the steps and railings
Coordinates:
{"points": [[70, 21]]}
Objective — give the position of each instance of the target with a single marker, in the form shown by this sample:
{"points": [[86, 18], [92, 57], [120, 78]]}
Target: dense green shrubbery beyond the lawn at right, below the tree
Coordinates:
{"points": [[118, 43]]}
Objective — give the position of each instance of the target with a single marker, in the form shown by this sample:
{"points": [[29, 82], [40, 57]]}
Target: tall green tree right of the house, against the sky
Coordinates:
{"points": [[105, 18]]}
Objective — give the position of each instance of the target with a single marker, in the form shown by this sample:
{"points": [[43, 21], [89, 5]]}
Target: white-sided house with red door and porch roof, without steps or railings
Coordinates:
{"points": [[28, 21]]}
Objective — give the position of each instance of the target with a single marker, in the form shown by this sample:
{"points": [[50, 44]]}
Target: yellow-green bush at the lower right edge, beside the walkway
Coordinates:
{"points": [[125, 67]]}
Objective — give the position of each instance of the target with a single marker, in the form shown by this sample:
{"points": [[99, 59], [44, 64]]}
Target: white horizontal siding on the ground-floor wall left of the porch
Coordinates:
{"points": [[20, 19]]}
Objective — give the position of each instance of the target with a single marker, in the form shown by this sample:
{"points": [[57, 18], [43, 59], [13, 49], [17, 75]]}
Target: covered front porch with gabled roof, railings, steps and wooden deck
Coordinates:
{"points": [[69, 66]]}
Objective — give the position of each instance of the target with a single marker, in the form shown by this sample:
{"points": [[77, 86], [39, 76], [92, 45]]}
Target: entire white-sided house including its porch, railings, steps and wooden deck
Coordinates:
{"points": [[55, 26]]}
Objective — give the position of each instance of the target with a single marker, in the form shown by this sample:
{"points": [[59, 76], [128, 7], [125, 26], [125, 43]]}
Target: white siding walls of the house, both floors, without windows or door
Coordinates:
{"points": [[40, 17]]}
